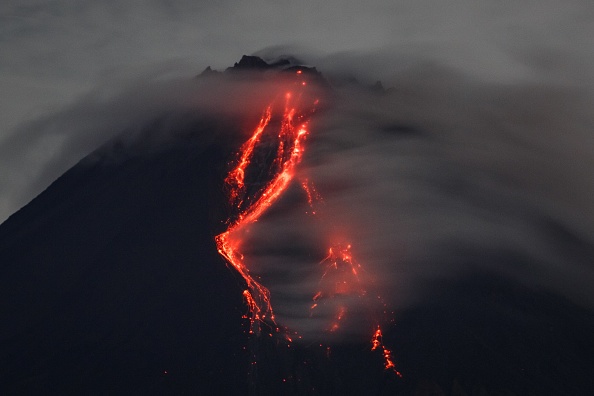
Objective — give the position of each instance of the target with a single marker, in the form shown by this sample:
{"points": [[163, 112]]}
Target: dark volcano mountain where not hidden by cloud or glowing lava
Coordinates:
{"points": [[111, 282]]}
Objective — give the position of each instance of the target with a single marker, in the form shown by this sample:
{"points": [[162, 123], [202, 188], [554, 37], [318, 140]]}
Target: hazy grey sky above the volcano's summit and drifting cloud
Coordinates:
{"points": [[58, 53]]}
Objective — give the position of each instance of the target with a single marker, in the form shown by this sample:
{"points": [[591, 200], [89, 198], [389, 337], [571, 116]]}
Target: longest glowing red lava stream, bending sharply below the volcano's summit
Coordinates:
{"points": [[249, 201]]}
